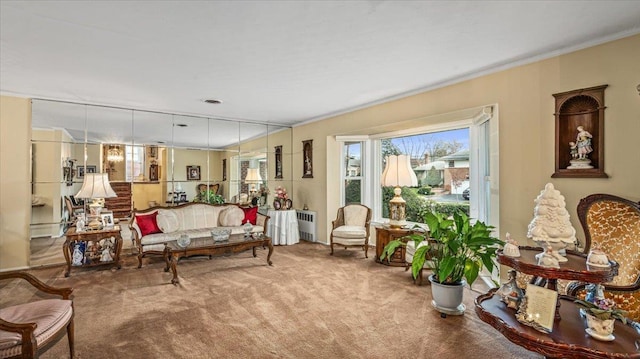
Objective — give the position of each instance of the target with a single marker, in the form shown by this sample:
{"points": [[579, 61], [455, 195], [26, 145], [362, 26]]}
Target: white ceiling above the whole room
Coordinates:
{"points": [[281, 62]]}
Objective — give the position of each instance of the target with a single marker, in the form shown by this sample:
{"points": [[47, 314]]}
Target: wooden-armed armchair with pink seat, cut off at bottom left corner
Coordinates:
{"points": [[29, 329]]}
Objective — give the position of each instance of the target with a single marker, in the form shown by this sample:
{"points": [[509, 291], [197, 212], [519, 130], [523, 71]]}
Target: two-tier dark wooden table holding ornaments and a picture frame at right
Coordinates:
{"points": [[568, 338]]}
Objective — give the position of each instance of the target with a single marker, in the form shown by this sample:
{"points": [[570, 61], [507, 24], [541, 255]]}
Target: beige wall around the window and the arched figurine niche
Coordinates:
{"points": [[526, 131]]}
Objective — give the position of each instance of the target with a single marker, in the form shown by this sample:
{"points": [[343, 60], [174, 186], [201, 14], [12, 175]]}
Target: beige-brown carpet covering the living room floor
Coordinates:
{"points": [[307, 305]]}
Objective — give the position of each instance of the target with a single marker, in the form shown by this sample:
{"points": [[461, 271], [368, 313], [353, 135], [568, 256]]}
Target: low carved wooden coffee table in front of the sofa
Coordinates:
{"points": [[207, 246]]}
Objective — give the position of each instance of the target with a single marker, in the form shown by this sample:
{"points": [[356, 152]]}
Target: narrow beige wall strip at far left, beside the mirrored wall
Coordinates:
{"points": [[15, 178]]}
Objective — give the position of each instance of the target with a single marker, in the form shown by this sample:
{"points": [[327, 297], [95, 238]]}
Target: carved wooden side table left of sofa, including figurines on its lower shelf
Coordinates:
{"points": [[92, 248]]}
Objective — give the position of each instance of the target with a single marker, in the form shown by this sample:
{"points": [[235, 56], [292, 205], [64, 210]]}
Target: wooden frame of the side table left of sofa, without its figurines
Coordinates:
{"points": [[94, 236]]}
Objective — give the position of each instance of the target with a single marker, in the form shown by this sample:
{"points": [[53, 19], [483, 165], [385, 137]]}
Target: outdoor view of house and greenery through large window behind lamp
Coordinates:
{"points": [[440, 161]]}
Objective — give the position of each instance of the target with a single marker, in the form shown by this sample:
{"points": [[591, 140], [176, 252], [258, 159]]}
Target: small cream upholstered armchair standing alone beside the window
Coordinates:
{"points": [[351, 227]]}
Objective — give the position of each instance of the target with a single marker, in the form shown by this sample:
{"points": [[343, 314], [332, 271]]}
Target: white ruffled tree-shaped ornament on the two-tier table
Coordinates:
{"points": [[551, 225]]}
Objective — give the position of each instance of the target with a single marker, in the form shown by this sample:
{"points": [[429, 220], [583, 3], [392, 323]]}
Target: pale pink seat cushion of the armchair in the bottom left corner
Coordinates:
{"points": [[50, 315]]}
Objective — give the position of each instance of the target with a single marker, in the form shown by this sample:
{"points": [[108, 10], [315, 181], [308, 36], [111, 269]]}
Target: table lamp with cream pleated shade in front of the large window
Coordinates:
{"points": [[398, 173]]}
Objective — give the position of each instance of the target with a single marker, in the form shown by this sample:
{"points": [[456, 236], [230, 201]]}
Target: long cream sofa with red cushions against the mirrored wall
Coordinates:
{"points": [[193, 219]]}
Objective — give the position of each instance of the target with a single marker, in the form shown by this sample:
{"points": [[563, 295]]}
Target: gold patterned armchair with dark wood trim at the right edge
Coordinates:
{"points": [[612, 224]]}
